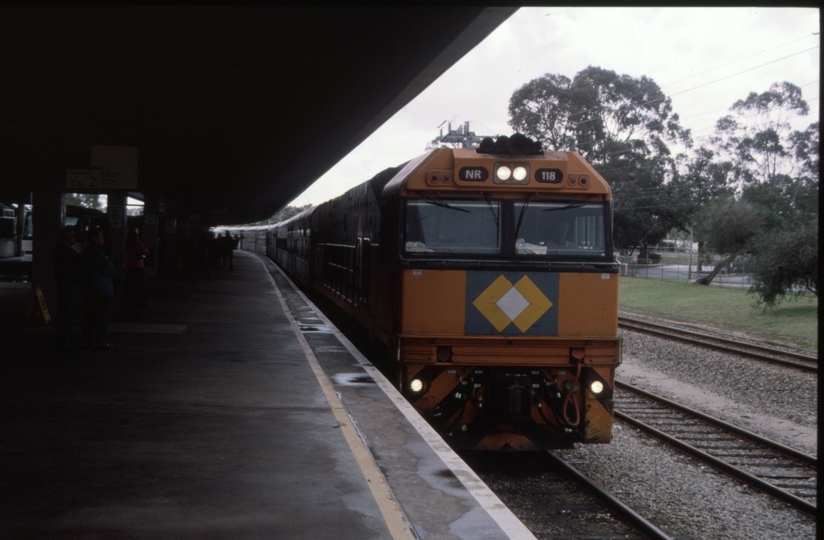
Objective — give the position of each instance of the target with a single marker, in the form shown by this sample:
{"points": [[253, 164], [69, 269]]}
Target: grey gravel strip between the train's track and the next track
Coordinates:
{"points": [[684, 498]]}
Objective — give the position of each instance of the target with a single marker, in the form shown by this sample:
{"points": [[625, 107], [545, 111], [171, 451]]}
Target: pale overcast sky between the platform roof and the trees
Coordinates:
{"points": [[704, 59]]}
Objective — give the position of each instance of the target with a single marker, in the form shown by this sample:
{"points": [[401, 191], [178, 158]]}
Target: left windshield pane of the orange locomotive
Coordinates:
{"points": [[462, 227]]}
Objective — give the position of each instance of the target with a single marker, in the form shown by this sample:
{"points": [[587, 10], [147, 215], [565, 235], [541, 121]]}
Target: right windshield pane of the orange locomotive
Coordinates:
{"points": [[560, 229]]}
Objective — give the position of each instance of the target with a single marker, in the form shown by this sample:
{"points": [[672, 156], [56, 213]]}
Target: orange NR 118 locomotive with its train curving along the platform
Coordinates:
{"points": [[489, 275]]}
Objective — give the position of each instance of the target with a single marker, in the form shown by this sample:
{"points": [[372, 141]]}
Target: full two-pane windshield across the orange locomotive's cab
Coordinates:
{"points": [[533, 229]]}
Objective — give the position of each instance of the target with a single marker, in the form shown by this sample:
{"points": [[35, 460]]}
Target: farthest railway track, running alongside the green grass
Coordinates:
{"points": [[800, 360]]}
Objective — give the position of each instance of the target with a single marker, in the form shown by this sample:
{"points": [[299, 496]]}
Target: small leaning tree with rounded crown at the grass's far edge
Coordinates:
{"points": [[728, 226]]}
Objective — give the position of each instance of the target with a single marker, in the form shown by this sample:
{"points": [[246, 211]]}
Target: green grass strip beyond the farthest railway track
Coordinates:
{"points": [[794, 322]]}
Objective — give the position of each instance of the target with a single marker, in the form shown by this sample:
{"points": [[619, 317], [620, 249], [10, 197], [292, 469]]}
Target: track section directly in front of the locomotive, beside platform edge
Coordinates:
{"points": [[554, 500]]}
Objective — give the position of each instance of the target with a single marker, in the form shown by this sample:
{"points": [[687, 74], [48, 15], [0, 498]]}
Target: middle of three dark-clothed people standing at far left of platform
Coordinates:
{"points": [[99, 289]]}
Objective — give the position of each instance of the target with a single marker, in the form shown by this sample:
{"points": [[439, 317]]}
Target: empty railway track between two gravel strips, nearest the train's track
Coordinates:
{"points": [[783, 472]]}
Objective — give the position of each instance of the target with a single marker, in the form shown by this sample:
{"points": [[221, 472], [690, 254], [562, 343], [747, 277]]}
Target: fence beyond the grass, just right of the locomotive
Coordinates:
{"points": [[670, 264]]}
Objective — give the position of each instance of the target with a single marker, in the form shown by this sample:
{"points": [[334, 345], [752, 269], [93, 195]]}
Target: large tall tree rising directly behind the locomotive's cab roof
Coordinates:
{"points": [[621, 125]]}
